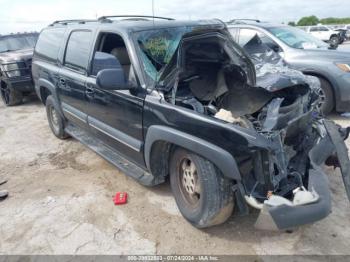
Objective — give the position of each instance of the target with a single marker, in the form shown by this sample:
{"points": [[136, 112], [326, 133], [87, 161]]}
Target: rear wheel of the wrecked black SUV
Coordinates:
{"points": [[56, 122]]}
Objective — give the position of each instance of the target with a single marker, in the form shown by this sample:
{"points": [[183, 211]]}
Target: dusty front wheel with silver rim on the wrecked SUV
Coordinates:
{"points": [[208, 200]]}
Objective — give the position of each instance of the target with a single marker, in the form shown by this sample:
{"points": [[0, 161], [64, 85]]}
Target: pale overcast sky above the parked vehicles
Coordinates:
{"points": [[33, 15]]}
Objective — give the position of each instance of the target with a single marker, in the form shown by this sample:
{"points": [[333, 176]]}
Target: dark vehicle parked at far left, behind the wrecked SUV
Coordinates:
{"points": [[16, 51]]}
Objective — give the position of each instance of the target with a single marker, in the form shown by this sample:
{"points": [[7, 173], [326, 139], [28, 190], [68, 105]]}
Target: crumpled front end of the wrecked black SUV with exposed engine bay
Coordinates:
{"points": [[280, 109]]}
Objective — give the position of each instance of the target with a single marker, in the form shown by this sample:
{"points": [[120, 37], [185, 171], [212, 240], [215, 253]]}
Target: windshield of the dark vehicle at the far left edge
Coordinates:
{"points": [[13, 43]]}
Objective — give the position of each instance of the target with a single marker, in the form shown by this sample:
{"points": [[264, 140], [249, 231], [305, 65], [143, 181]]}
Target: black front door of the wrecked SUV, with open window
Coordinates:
{"points": [[115, 116]]}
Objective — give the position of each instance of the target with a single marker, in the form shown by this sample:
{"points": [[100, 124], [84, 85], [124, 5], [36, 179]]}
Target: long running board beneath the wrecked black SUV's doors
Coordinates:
{"points": [[116, 159]]}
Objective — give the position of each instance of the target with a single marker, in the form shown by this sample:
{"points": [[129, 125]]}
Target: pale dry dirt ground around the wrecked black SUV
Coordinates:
{"points": [[61, 203]]}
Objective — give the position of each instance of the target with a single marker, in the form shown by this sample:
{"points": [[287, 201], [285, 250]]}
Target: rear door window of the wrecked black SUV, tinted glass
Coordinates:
{"points": [[78, 50]]}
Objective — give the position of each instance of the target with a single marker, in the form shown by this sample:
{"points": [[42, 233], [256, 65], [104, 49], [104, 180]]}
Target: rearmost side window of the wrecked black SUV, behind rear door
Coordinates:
{"points": [[48, 44]]}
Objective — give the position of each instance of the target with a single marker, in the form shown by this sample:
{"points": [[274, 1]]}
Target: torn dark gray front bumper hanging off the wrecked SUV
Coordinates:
{"points": [[286, 217]]}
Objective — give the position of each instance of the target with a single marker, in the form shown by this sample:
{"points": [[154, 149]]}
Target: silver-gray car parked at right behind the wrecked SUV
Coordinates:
{"points": [[302, 51]]}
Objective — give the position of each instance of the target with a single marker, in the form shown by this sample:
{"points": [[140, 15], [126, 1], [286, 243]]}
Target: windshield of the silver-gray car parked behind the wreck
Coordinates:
{"points": [[296, 38]]}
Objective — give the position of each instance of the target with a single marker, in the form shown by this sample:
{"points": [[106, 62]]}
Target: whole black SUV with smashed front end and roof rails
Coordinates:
{"points": [[160, 98]]}
